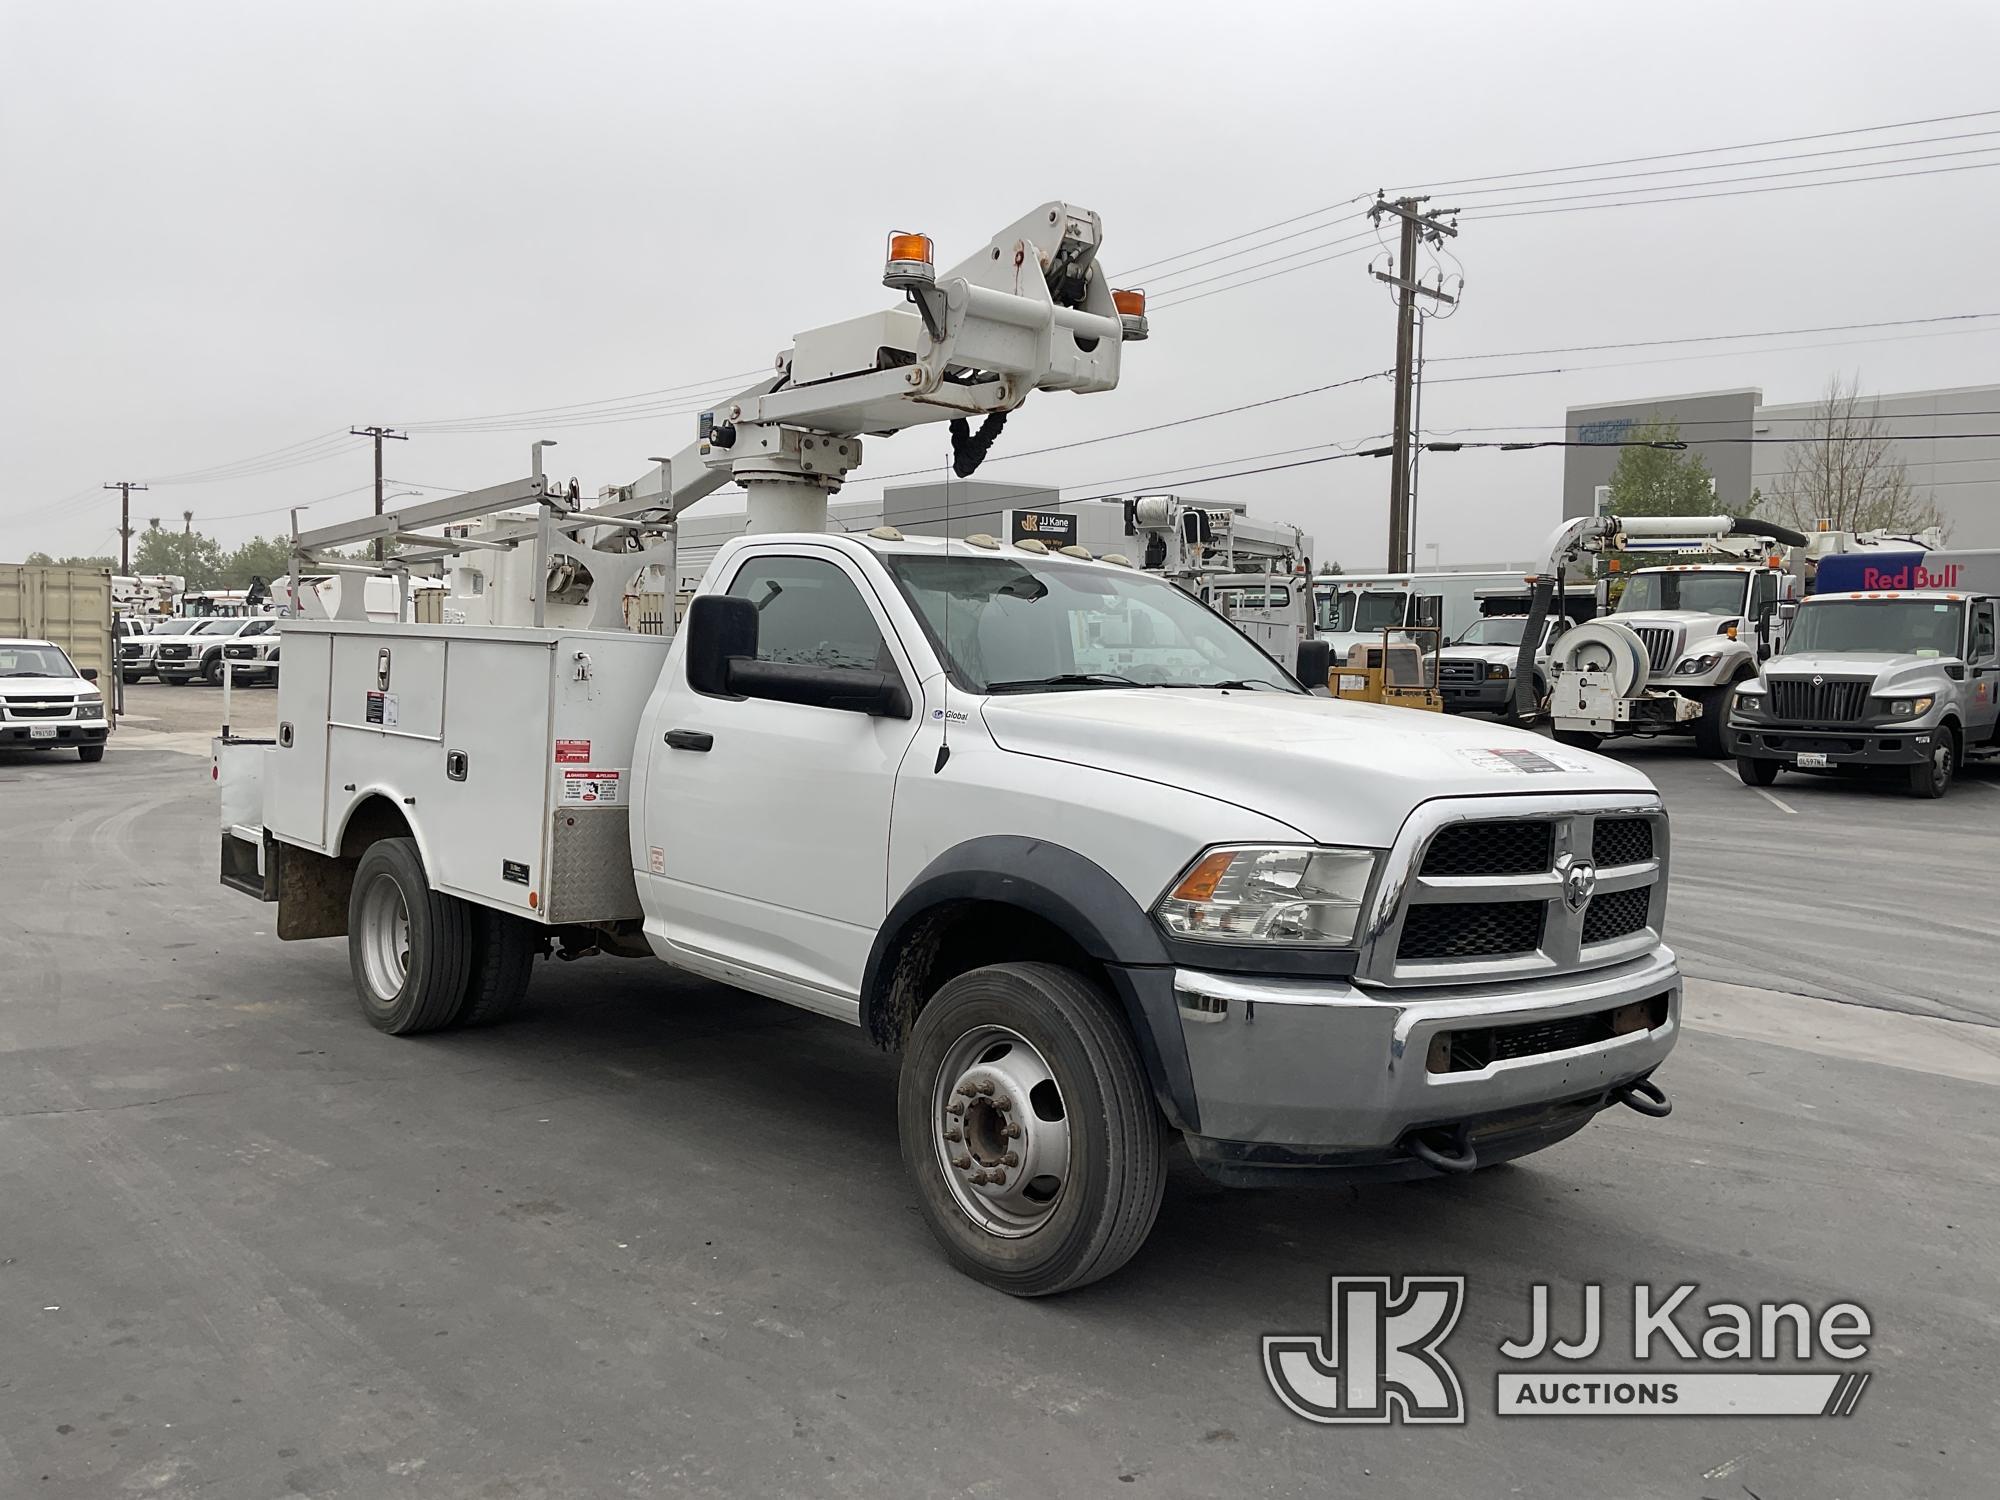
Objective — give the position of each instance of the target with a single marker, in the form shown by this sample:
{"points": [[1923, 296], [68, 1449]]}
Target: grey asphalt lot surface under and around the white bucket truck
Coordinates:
{"points": [[655, 1237]]}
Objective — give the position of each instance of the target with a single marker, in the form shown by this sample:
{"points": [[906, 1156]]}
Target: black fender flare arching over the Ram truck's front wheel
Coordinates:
{"points": [[1083, 901]]}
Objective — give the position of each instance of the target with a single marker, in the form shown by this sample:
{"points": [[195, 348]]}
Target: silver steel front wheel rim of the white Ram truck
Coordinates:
{"points": [[1001, 1129]]}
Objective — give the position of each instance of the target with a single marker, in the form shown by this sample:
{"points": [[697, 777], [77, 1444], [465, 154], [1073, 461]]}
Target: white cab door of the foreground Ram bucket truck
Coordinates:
{"points": [[767, 823]]}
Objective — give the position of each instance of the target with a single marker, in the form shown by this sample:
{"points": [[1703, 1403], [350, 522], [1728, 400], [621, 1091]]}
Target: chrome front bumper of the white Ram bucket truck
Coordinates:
{"points": [[1309, 1077]]}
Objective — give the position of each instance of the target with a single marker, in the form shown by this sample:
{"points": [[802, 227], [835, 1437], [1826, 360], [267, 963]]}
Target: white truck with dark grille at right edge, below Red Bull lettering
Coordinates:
{"points": [[1907, 679]]}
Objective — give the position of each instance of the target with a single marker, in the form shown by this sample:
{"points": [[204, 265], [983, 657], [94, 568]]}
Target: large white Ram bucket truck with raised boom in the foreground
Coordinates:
{"points": [[903, 785]]}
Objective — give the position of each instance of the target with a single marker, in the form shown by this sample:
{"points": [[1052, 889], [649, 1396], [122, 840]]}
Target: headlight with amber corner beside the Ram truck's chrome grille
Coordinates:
{"points": [[1309, 897]]}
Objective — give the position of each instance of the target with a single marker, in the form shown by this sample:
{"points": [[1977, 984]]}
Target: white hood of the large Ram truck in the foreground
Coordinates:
{"points": [[1339, 773]]}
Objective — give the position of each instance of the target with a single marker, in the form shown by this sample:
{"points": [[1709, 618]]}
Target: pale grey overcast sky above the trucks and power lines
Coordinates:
{"points": [[231, 229]]}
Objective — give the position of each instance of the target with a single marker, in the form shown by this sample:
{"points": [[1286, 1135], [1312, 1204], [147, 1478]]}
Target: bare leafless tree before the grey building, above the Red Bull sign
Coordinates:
{"points": [[1843, 469]]}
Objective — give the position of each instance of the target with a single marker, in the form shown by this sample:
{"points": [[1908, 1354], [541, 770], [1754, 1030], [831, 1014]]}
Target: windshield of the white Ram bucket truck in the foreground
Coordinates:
{"points": [[1019, 625]]}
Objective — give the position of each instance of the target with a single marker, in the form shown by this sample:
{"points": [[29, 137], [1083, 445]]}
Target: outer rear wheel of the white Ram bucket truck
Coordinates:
{"points": [[409, 947]]}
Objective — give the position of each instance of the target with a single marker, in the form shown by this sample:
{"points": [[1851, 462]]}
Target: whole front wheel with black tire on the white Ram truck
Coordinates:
{"points": [[1077, 1103]]}
